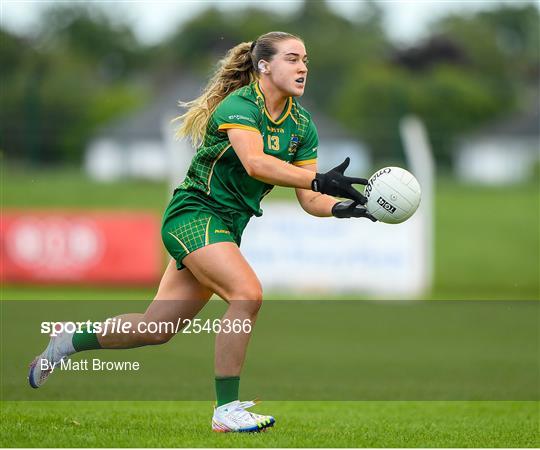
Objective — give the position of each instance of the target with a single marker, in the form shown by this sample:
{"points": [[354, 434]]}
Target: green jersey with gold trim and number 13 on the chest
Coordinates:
{"points": [[216, 170]]}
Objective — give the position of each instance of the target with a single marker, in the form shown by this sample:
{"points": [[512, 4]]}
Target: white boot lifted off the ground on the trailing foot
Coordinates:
{"points": [[59, 348]]}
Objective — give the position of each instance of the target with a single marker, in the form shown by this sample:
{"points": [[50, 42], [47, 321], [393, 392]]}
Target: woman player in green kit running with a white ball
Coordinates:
{"points": [[251, 134]]}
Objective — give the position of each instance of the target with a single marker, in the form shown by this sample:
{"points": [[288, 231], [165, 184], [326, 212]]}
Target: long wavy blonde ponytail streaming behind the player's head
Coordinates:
{"points": [[234, 71]]}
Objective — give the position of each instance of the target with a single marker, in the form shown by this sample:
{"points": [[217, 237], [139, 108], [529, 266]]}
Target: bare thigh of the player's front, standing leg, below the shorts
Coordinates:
{"points": [[224, 270]]}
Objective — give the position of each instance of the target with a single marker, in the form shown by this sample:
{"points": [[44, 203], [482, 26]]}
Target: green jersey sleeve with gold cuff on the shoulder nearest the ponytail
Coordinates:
{"points": [[236, 111]]}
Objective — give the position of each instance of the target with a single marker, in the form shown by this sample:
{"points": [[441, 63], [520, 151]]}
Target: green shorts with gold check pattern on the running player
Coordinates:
{"points": [[192, 221]]}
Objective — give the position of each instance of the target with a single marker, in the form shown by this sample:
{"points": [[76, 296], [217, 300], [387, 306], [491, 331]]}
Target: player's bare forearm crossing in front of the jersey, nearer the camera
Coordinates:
{"points": [[271, 170]]}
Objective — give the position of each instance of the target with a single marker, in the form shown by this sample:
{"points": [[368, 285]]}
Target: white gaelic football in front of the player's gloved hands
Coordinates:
{"points": [[393, 195]]}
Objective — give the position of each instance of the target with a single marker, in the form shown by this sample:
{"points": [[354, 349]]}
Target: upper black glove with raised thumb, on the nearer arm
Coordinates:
{"points": [[335, 183]]}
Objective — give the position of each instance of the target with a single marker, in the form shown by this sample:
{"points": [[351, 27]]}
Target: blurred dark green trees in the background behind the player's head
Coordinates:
{"points": [[79, 70]]}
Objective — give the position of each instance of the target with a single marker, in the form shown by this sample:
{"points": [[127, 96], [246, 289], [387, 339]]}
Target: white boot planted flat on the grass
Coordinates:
{"points": [[233, 417]]}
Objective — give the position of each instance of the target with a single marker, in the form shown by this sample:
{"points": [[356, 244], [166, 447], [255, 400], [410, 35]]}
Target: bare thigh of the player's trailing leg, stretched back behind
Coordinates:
{"points": [[180, 295]]}
